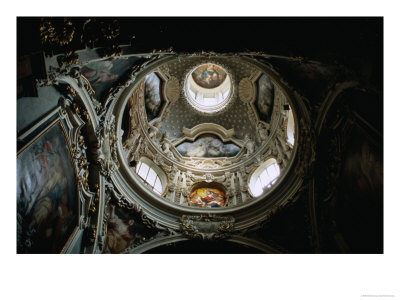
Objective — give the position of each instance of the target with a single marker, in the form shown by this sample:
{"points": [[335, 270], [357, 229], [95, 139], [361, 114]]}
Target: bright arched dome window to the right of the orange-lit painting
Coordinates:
{"points": [[264, 177]]}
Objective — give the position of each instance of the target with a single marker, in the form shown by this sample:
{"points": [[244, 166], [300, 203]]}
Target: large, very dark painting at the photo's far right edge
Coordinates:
{"points": [[359, 207]]}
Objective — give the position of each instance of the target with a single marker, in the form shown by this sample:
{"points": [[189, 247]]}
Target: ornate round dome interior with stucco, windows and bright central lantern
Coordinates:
{"points": [[200, 149]]}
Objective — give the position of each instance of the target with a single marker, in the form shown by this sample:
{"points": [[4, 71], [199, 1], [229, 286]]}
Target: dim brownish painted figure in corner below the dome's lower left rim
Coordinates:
{"points": [[119, 233]]}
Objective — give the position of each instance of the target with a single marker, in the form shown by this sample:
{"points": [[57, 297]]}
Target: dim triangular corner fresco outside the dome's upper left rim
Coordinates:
{"points": [[103, 74]]}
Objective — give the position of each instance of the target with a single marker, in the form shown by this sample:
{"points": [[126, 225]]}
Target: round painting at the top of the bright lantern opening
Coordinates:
{"points": [[209, 76]]}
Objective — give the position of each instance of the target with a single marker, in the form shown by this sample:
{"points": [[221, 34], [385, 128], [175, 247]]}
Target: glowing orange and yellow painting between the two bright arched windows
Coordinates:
{"points": [[207, 197]]}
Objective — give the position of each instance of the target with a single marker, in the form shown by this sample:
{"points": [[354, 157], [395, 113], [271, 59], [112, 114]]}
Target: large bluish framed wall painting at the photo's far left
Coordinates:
{"points": [[46, 195]]}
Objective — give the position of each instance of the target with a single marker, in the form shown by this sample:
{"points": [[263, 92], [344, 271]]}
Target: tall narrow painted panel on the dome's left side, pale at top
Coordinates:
{"points": [[152, 98]]}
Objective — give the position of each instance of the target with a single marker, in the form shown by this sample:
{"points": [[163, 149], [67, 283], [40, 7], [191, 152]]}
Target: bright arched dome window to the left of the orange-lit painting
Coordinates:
{"points": [[152, 175]]}
